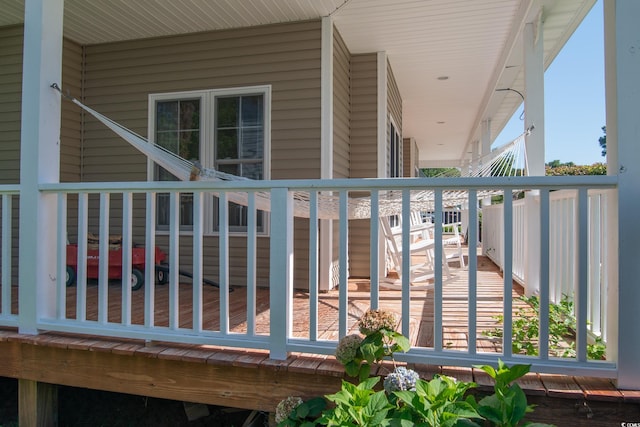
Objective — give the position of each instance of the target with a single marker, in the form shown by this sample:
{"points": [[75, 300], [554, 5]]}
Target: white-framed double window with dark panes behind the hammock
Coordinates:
{"points": [[225, 129]]}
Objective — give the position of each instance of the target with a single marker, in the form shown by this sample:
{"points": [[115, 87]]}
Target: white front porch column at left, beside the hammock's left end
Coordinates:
{"points": [[39, 160]]}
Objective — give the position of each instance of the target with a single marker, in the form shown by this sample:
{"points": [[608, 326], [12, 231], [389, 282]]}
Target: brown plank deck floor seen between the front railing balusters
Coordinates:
{"points": [[455, 308]]}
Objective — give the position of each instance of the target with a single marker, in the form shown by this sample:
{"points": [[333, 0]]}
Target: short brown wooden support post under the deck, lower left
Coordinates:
{"points": [[37, 404]]}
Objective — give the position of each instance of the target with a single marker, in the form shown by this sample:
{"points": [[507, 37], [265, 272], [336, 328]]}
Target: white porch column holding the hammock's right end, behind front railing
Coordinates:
{"points": [[534, 116]]}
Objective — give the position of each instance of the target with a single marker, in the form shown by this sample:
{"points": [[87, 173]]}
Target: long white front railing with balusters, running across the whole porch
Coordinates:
{"points": [[137, 200]]}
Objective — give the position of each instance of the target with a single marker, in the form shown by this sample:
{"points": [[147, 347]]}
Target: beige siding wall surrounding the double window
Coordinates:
{"points": [[120, 76]]}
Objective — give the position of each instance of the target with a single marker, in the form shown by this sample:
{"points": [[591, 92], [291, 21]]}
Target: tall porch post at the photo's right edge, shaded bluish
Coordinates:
{"points": [[622, 68]]}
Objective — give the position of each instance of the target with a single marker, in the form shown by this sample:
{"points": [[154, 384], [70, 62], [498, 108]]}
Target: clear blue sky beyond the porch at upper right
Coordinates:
{"points": [[574, 98]]}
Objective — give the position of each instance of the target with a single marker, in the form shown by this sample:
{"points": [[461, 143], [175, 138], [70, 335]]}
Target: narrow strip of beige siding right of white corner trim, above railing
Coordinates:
{"points": [[341, 107]]}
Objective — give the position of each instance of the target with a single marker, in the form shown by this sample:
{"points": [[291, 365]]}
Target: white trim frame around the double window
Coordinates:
{"points": [[207, 151]]}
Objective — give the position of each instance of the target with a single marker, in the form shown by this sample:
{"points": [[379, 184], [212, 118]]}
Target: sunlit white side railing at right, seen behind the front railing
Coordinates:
{"points": [[564, 244]]}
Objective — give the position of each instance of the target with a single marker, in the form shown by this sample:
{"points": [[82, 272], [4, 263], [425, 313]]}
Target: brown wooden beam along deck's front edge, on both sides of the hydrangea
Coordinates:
{"points": [[249, 379]]}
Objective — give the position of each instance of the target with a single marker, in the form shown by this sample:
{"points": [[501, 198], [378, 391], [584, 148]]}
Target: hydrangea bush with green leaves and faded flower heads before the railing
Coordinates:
{"points": [[404, 398]]}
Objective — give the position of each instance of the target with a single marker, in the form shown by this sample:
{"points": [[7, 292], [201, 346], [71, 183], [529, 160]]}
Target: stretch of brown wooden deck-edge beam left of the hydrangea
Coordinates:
{"points": [[212, 375]]}
